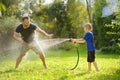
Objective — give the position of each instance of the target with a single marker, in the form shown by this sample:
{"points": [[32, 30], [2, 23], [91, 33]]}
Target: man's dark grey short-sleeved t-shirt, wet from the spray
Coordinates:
{"points": [[27, 34]]}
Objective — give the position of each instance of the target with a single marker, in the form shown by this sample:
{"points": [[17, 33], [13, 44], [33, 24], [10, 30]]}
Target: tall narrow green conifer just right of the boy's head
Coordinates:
{"points": [[98, 23]]}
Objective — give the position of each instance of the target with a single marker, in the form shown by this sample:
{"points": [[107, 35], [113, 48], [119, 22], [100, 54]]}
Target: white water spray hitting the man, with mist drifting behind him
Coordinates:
{"points": [[44, 44]]}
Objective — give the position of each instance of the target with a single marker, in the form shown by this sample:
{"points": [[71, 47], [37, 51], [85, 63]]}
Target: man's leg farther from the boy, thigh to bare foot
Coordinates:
{"points": [[23, 51]]}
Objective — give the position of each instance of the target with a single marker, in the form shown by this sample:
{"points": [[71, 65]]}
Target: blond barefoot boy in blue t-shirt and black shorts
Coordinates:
{"points": [[89, 39]]}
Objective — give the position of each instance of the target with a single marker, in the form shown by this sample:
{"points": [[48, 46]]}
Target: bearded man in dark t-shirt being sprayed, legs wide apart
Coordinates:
{"points": [[25, 34]]}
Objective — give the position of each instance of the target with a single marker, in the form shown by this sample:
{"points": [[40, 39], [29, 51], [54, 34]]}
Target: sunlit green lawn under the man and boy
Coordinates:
{"points": [[60, 62]]}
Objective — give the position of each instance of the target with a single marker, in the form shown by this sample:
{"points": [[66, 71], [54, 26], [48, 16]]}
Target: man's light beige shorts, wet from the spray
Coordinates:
{"points": [[34, 45]]}
